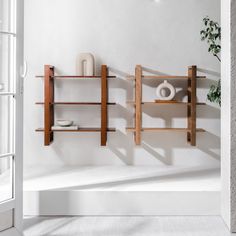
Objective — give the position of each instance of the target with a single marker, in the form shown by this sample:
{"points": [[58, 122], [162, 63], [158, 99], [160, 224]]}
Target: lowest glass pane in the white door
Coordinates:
{"points": [[6, 169]]}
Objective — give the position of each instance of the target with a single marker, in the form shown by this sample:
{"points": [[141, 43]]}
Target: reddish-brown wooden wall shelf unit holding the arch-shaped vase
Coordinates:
{"points": [[49, 104]]}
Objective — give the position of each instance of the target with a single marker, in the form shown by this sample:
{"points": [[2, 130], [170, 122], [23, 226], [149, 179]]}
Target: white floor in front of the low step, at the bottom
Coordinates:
{"points": [[122, 226]]}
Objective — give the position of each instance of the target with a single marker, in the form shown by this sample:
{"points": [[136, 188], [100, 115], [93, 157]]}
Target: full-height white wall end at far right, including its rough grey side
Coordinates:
{"points": [[228, 152]]}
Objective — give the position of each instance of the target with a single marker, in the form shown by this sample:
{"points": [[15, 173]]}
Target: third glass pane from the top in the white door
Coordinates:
{"points": [[6, 124]]}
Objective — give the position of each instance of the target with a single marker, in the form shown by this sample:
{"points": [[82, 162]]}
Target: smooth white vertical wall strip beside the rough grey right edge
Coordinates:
{"points": [[226, 104]]}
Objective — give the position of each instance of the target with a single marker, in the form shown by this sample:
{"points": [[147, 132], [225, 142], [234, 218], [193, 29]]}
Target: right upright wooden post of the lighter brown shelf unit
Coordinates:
{"points": [[192, 75]]}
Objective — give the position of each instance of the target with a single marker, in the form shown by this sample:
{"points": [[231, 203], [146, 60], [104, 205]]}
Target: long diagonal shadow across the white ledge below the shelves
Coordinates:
{"points": [[157, 176]]}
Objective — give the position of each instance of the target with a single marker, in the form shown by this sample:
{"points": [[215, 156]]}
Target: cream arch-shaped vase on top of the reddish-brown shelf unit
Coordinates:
{"points": [[85, 64]]}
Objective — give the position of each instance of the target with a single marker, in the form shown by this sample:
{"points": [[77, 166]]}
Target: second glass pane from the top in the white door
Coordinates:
{"points": [[6, 61]]}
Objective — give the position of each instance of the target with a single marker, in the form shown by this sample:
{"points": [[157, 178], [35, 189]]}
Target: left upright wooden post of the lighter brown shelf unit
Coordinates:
{"points": [[138, 104]]}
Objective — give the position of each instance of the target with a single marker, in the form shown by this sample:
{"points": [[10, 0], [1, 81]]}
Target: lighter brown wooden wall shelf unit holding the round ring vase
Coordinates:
{"points": [[191, 104]]}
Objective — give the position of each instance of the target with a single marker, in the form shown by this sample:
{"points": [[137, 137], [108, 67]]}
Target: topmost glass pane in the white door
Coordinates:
{"points": [[5, 21]]}
